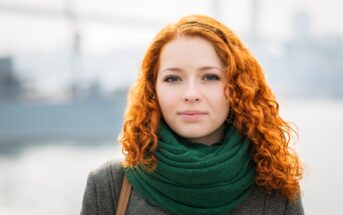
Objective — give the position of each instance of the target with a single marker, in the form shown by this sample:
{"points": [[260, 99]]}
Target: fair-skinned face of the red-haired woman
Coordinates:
{"points": [[190, 89]]}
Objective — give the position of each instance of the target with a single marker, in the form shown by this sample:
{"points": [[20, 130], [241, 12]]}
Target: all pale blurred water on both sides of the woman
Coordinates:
{"points": [[50, 178]]}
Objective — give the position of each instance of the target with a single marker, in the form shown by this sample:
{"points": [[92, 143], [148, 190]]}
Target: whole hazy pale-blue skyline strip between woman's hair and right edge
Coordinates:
{"points": [[304, 66]]}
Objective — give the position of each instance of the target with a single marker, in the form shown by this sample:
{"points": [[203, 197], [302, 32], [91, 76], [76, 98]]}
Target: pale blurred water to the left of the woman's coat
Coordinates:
{"points": [[49, 179]]}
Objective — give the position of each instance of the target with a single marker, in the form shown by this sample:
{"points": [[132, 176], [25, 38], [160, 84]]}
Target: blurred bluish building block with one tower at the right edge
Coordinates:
{"points": [[314, 66]]}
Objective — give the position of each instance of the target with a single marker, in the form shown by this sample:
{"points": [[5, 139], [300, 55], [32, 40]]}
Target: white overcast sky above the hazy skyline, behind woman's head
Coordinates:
{"points": [[23, 32]]}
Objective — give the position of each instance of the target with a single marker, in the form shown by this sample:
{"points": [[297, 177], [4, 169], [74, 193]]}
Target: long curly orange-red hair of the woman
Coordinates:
{"points": [[254, 106]]}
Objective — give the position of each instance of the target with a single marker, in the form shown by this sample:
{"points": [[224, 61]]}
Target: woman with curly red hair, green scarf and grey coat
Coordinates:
{"points": [[202, 132]]}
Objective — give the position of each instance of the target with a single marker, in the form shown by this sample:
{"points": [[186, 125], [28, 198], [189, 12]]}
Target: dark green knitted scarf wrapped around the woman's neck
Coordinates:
{"points": [[193, 178]]}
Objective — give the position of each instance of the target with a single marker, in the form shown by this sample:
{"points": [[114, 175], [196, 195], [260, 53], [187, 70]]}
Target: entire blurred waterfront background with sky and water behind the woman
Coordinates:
{"points": [[66, 65]]}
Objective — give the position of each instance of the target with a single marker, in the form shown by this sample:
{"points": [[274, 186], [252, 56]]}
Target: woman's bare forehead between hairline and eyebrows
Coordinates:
{"points": [[189, 51]]}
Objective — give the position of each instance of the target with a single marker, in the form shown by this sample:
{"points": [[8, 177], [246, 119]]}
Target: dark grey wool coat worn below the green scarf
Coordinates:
{"points": [[104, 184]]}
